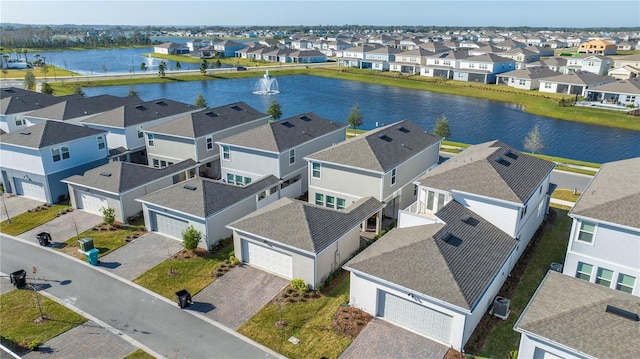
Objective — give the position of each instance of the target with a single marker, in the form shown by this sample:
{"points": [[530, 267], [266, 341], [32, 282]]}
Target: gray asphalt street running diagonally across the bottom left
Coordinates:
{"points": [[154, 322]]}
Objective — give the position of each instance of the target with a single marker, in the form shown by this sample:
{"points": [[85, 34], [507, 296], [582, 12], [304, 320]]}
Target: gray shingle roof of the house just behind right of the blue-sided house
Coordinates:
{"points": [[140, 112]]}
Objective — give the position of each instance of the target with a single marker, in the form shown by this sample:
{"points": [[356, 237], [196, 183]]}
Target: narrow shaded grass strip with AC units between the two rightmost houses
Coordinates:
{"points": [[551, 248]]}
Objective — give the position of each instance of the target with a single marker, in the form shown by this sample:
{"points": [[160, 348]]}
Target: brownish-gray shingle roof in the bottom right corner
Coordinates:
{"points": [[572, 312]]}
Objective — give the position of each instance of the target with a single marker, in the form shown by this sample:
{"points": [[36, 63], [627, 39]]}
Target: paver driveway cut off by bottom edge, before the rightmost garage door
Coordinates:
{"points": [[381, 339]]}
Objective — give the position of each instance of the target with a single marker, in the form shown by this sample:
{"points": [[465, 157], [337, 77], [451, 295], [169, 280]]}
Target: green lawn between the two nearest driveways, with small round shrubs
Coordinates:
{"points": [[308, 321]]}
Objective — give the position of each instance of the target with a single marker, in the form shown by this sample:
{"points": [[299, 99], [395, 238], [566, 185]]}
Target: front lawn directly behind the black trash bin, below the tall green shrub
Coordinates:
{"points": [[192, 273]]}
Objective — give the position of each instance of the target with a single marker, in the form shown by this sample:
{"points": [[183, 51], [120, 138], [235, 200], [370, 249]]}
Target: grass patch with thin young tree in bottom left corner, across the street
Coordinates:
{"points": [[18, 312]]}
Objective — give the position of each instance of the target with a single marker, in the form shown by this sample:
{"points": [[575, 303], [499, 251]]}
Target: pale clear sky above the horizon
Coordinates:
{"points": [[538, 13]]}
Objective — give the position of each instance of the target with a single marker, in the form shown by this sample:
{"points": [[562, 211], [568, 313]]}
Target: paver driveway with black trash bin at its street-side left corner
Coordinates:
{"points": [[236, 296]]}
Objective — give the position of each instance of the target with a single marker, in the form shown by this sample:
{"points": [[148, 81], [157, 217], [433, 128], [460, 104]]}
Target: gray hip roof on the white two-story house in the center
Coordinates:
{"points": [[381, 149]]}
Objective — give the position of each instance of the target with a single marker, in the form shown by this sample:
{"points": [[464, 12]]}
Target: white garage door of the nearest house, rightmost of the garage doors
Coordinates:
{"points": [[413, 316]]}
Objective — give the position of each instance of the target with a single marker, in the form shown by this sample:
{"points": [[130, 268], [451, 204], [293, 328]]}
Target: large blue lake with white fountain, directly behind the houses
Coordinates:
{"points": [[471, 120]]}
